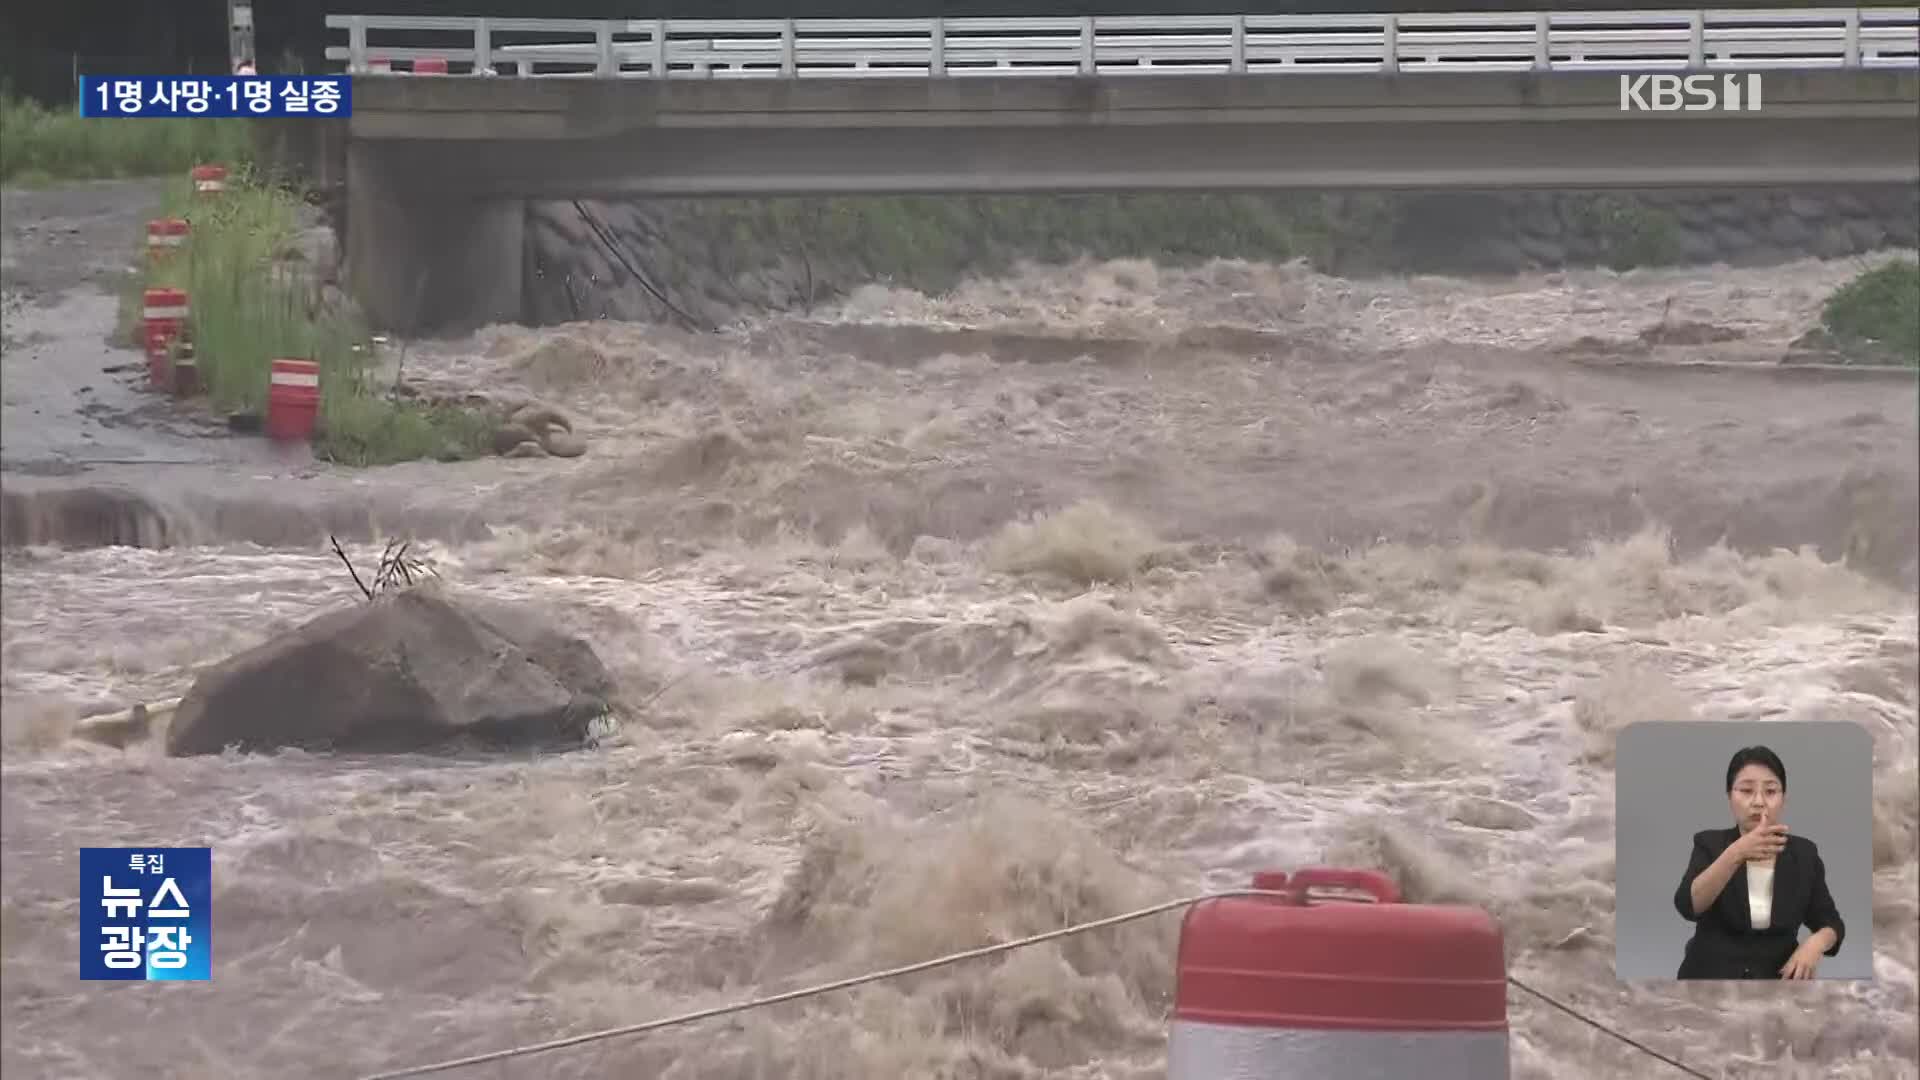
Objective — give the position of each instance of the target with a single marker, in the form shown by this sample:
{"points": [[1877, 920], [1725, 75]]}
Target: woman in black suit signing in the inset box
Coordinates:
{"points": [[1750, 889]]}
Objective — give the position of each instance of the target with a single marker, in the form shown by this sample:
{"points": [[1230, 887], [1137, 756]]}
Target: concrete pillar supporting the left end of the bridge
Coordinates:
{"points": [[427, 260]]}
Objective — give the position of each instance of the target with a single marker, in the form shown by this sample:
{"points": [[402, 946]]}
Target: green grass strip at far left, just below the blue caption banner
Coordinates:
{"points": [[57, 145]]}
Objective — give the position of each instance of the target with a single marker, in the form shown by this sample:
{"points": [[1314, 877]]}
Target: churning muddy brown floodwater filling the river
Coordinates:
{"points": [[959, 618]]}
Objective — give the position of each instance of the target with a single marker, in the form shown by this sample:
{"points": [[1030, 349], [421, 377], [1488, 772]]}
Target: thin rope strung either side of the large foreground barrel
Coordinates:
{"points": [[930, 966]]}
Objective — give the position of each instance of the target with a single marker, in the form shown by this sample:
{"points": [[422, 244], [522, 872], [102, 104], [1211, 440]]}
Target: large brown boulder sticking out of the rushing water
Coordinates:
{"points": [[408, 672]]}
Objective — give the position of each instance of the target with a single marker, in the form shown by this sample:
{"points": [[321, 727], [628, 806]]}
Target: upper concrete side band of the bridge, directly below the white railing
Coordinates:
{"points": [[454, 110]]}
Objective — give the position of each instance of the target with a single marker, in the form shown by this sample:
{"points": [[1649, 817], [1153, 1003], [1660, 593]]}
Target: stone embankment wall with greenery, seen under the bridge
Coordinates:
{"points": [[702, 260]]}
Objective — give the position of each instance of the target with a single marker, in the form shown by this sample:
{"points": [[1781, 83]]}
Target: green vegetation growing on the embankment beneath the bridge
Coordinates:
{"points": [[932, 243]]}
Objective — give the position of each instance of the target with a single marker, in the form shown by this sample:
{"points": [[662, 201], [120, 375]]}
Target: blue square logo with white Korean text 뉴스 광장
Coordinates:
{"points": [[147, 914]]}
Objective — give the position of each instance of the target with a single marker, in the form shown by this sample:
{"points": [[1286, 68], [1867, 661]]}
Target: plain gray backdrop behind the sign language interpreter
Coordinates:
{"points": [[1671, 783]]}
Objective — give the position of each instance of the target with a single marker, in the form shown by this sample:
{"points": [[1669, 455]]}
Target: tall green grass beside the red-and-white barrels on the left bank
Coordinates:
{"points": [[252, 303]]}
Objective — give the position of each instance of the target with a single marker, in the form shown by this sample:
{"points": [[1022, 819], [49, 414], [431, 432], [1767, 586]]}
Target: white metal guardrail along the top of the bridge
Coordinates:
{"points": [[1132, 45]]}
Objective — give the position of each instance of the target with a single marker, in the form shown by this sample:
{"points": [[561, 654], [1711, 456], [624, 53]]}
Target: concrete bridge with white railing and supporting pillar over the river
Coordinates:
{"points": [[448, 139]]}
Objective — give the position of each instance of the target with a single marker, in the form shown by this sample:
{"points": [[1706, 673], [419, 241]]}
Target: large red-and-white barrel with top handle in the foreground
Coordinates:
{"points": [[1287, 987]]}
